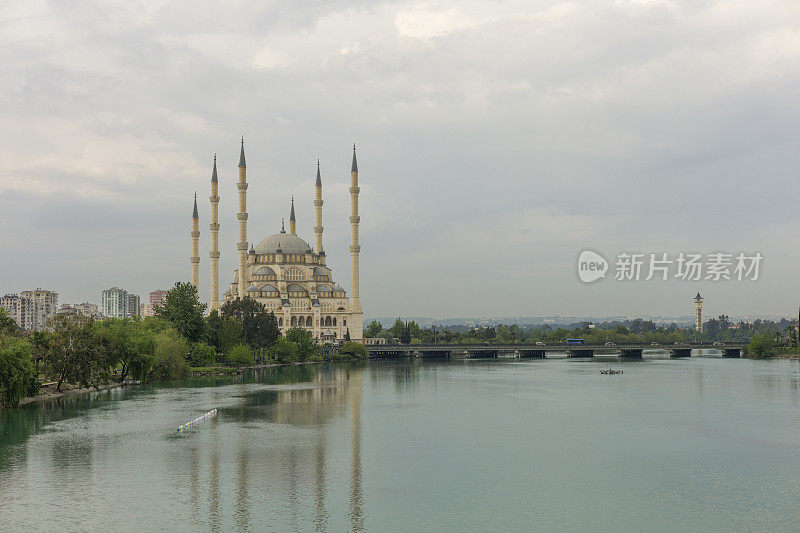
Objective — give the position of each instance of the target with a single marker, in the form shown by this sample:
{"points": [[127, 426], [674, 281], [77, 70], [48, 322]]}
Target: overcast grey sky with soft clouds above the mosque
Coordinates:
{"points": [[496, 140]]}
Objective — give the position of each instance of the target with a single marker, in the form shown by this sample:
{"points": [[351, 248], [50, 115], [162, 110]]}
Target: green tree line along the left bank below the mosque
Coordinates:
{"points": [[84, 352]]}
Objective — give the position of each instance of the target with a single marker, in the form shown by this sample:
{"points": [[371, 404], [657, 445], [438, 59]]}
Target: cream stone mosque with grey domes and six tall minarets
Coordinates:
{"points": [[283, 271]]}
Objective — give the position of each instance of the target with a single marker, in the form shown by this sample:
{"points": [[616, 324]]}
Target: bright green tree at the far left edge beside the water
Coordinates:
{"points": [[17, 375]]}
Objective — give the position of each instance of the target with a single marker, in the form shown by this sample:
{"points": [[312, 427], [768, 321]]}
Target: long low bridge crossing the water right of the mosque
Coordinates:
{"points": [[539, 351]]}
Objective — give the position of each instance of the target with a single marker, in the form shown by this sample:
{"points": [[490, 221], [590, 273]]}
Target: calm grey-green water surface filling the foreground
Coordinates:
{"points": [[700, 444]]}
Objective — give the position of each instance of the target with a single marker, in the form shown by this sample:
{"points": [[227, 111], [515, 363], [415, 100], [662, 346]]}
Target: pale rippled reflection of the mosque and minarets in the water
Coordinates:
{"points": [[287, 471]]}
